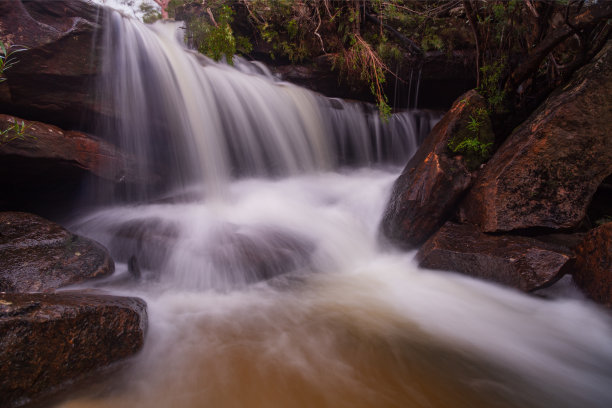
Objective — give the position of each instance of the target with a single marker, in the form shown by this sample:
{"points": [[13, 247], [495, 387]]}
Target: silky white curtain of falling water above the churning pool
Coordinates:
{"points": [[189, 119]]}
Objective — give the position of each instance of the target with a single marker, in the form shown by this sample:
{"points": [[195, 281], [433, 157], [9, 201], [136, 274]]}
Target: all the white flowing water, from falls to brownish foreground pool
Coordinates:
{"points": [[274, 291]]}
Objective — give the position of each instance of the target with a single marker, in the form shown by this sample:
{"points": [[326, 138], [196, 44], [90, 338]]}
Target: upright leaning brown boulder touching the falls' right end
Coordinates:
{"points": [[432, 182]]}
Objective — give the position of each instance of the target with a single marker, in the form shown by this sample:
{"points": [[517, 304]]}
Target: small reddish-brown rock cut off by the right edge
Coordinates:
{"points": [[593, 268]]}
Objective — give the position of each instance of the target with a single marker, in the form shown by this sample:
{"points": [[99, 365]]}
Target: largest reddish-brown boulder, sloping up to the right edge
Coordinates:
{"points": [[547, 171]]}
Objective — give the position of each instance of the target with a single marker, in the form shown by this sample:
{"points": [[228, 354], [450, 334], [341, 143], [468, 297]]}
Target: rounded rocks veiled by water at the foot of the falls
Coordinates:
{"points": [[235, 254]]}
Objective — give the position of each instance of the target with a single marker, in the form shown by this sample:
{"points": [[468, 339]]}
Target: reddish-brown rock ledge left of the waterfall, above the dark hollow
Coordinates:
{"points": [[62, 149]]}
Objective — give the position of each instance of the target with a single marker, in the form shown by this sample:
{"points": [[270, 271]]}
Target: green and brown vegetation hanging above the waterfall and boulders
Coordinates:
{"points": [[522, 49]]}
